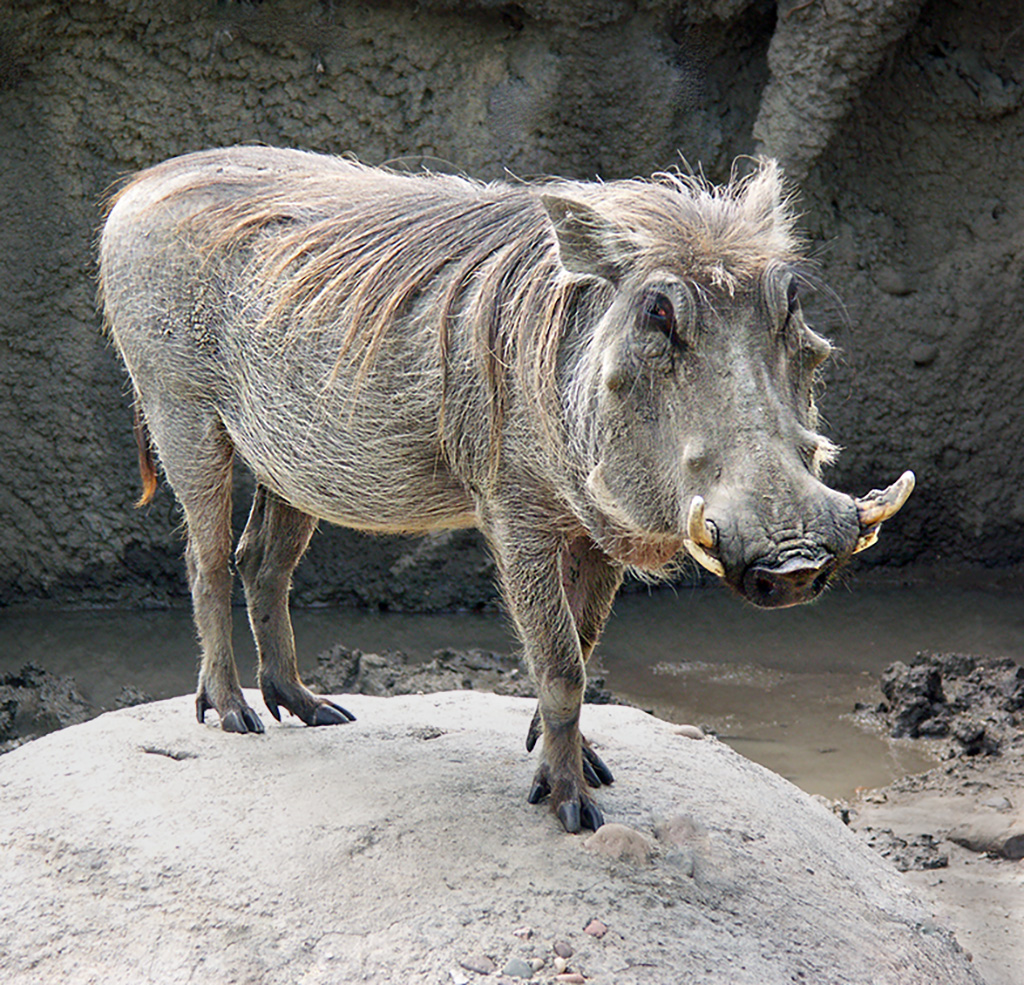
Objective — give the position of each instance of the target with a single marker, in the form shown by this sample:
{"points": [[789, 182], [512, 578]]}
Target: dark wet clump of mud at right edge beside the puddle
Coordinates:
{"points": [[974, 704]]}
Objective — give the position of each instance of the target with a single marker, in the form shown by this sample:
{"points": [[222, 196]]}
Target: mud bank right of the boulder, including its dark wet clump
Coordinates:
{"points": [[958, 832]]}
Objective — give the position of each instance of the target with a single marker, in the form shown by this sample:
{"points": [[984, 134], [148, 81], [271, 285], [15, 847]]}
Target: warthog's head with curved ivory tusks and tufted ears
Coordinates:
{"points": [[696, 392]]}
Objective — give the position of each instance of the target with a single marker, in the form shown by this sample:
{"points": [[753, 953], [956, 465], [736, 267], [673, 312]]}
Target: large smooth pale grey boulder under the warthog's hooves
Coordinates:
{"points": [[143, 847]]}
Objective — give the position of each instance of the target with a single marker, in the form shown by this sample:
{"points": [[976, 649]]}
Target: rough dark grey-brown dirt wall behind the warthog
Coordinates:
{"points": [[912, 189]]}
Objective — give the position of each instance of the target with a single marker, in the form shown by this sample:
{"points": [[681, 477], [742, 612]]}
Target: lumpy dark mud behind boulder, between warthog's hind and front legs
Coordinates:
{"points": [[342, 671]]}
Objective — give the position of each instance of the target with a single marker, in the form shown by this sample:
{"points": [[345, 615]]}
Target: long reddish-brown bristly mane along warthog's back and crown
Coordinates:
{"points": [[342, 244]]}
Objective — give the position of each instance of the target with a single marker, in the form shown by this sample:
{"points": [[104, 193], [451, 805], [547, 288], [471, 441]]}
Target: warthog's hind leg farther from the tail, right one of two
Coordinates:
{"points": [[276, 537]]}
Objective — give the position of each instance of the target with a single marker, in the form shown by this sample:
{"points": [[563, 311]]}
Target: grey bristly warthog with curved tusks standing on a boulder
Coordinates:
{"points": [[598, 376]]}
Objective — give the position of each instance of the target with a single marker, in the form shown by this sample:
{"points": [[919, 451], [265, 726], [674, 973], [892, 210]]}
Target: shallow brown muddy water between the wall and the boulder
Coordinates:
{"points": [[778, 687]]}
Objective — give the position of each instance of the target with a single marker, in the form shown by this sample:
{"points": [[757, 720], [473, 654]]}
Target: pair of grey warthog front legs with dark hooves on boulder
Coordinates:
{"points": [[560, 595]]}
